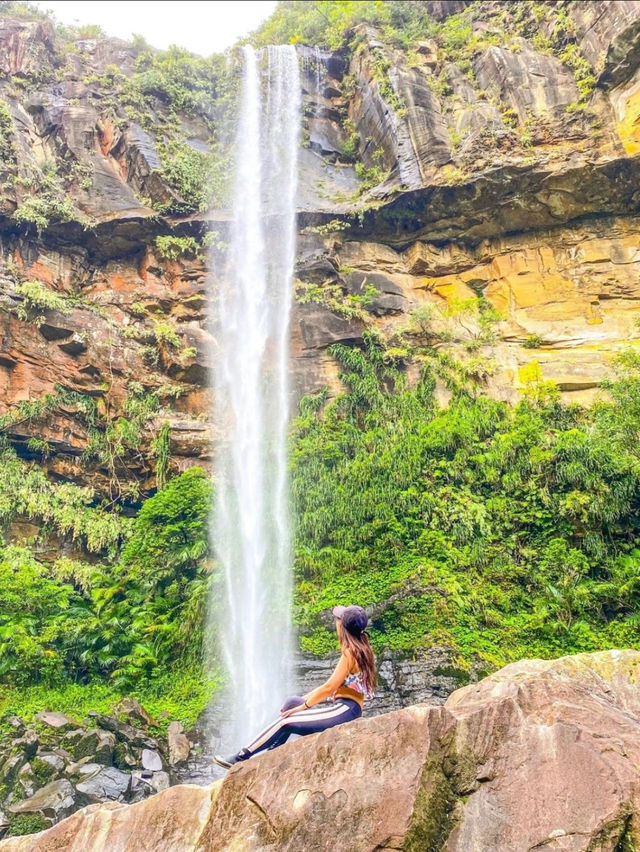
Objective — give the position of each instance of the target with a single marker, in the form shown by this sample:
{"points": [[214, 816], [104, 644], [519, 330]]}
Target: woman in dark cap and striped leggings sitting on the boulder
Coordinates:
{"points": [[353, 680]]}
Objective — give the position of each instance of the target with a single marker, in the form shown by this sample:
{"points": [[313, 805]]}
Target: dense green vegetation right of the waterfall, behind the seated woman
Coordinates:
{"points": [[503, 532]]}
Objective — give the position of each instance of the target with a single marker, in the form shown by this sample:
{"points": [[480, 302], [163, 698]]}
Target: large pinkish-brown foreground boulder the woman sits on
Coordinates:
{"points": [[541, 755]]}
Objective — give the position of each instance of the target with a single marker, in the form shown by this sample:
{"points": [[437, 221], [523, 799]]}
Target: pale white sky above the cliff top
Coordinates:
{"points": [[202, 26]]}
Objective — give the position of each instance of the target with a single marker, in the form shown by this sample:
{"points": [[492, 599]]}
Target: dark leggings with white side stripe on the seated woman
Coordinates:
{"points": [[311, 721]]}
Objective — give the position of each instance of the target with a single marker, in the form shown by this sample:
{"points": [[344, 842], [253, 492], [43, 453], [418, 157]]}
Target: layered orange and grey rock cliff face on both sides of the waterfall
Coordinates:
{"points": [[498, 162]]}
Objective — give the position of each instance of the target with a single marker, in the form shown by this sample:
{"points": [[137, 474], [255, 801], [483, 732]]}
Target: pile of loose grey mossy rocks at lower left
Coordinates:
{"points": [[55, 766]]}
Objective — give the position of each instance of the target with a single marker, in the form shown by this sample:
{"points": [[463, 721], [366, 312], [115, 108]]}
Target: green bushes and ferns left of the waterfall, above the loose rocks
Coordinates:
{"points": [[130, 620]]}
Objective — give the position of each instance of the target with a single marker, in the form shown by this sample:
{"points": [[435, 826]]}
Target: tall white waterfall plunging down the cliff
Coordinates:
{"points": [[250, 528]]}
